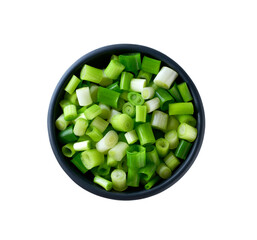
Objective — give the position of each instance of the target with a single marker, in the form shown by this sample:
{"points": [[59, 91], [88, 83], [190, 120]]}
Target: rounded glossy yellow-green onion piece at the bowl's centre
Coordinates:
{"points": [[122, 122]]}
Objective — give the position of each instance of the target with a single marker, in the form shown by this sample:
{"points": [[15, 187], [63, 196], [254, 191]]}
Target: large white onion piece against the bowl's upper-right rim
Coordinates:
{"points": [[165, 77]]}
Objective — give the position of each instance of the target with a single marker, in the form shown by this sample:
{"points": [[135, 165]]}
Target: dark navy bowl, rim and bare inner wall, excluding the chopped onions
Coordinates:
{"points": [[100, 58]]}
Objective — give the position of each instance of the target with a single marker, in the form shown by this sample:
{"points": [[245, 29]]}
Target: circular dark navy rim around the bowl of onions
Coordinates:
{"points": [[185, 165]]}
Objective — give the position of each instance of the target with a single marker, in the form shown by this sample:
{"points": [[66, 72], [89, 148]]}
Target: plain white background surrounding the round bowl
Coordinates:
{"points": [[214, 41]]}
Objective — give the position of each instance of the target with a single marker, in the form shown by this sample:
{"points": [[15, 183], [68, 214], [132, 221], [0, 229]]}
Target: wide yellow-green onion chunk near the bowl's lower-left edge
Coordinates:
{"points": [[92, 158]]}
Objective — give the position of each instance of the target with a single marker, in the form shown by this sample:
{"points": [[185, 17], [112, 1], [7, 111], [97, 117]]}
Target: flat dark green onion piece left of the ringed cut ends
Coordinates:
{"points": [[108, 97]]}
